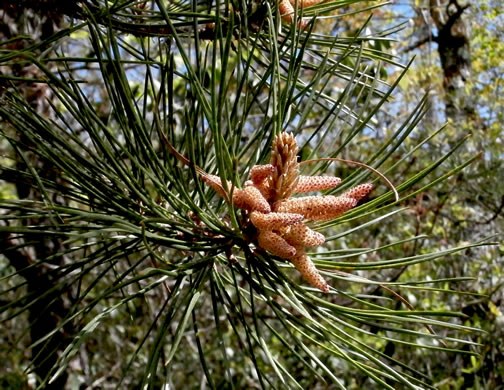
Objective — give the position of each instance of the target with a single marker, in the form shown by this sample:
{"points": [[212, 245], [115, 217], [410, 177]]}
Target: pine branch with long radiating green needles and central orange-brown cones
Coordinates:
{"points": [[155, 106]]}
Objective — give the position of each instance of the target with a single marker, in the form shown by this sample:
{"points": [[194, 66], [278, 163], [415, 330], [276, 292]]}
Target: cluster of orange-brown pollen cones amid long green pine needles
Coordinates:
{"points": [[278, 217]]}
